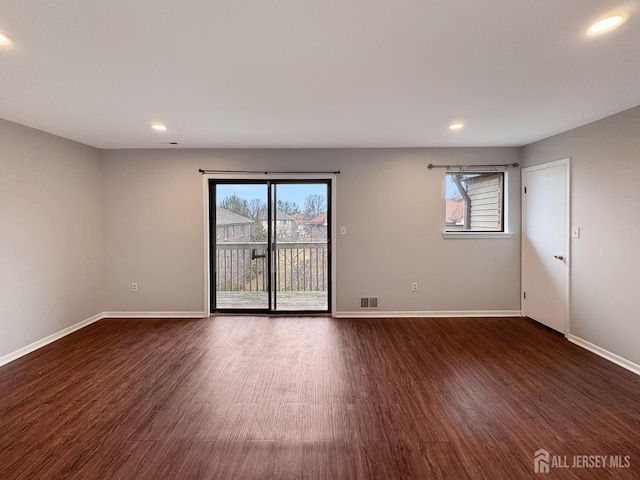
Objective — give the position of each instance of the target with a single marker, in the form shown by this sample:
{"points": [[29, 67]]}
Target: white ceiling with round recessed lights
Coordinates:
{"points": [[314, 73]]}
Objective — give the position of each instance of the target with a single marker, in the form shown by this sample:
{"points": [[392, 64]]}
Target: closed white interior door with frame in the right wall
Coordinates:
{"points": [[545, 243]]}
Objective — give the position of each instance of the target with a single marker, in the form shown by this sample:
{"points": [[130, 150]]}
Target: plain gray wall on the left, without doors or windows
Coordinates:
{"points": [[51, 235]]}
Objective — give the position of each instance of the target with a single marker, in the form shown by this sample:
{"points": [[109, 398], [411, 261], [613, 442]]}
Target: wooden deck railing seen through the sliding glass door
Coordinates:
{"points": [[299, 266]]}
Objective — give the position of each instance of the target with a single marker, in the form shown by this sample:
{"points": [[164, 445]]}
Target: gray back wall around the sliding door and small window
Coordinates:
{"points": [[392, 206]]}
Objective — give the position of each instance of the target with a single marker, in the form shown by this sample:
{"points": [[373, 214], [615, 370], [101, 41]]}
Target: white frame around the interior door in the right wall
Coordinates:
{"points": [[566, 162]]}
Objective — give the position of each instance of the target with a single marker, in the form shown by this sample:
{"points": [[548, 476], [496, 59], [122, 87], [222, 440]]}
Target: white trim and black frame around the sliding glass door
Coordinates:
{"points": [[330, 179]]}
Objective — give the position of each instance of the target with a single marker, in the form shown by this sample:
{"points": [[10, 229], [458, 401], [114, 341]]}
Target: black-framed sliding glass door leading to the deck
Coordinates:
{"points": [[271, 248]]}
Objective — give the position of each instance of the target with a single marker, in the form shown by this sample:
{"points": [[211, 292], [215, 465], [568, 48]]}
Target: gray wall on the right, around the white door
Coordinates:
{"points": [[605, 196]]}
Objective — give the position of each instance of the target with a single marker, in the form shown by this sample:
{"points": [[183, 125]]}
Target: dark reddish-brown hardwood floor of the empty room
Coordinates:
{"points": [[294, 398]]}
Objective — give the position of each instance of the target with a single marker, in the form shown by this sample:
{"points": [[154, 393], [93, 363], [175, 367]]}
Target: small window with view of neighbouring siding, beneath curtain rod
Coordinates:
{"points": [[474, 202]]}
